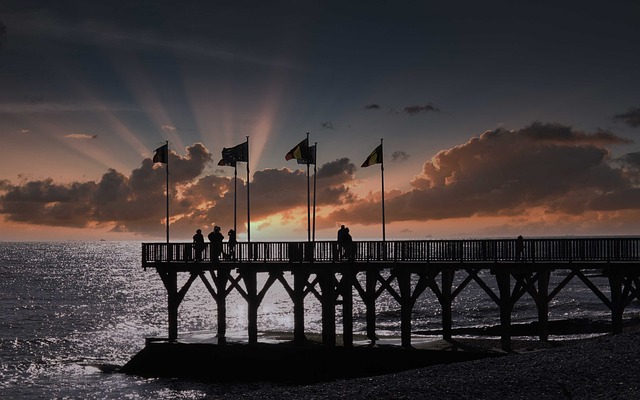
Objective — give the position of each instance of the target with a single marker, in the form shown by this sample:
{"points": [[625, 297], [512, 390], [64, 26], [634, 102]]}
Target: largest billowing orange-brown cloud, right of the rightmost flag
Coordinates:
{"points": [[500, 173]]}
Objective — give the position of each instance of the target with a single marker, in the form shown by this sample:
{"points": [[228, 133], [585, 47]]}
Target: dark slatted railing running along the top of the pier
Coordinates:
{"points": [[425, 251]]}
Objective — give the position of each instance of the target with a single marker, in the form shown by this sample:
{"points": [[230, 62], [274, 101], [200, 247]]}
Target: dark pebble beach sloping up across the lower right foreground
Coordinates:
{"points": [[604, 367]]}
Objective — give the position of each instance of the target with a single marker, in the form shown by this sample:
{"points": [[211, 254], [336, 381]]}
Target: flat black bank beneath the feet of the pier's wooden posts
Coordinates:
{"points": [[279, 361]]}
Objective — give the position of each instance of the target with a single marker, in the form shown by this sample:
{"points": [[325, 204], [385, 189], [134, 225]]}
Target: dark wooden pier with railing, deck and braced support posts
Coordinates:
{"points": [[405, 269]]}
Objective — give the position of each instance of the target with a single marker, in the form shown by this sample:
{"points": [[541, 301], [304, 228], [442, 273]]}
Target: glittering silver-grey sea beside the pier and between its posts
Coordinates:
{"points": [[71, 310]]}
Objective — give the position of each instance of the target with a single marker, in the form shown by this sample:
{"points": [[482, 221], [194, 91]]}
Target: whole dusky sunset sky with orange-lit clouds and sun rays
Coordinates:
{"points": [[497, 118]]}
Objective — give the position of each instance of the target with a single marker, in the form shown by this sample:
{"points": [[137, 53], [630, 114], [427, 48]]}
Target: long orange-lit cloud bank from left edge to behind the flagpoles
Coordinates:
{"points": [[136, 202]]}
